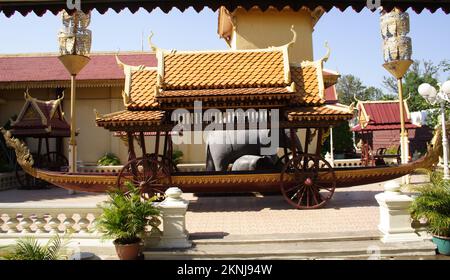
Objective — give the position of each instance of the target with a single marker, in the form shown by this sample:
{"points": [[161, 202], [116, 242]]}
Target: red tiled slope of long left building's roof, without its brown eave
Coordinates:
{"points": [[49, 68]]}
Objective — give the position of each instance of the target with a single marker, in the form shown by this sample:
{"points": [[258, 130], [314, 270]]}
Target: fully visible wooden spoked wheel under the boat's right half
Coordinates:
{"points": [[307, 181]]}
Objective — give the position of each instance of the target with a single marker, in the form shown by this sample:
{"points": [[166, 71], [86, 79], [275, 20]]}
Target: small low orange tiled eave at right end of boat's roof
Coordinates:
{"points": [[325, 112]]}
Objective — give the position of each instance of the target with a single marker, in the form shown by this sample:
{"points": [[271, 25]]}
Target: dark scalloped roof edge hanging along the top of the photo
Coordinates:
{"points": [[40, 7]]}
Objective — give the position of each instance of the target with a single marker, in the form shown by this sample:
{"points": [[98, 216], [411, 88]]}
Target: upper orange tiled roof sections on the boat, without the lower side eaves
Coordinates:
{"points": [[224, 76]]}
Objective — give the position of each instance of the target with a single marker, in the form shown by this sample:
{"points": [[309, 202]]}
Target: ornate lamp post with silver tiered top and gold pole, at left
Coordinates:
{"points": [[74, 47]]}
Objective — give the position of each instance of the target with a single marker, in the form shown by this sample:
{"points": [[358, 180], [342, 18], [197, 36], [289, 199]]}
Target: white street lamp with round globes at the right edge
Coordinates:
{"points": [[432, 96]]}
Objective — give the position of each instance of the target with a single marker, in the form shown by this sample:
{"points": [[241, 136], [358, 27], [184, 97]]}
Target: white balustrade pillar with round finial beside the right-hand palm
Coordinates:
{"points": [[395, 219]]}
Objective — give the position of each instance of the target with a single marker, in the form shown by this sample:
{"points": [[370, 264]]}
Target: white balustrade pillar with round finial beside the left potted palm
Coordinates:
{"points": [[173, 210]]}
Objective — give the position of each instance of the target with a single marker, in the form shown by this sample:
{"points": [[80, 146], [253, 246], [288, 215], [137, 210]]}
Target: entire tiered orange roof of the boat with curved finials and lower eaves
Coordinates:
{"points": [[231, 79]]}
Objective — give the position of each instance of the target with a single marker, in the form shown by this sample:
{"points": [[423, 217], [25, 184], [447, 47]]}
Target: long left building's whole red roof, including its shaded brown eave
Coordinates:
{"points": [[46, 71]]}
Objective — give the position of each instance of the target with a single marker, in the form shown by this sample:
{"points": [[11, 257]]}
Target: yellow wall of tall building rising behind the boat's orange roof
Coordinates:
{"points": [[257, 29]]}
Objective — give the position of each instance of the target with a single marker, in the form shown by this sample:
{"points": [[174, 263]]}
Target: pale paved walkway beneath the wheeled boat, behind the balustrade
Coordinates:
{"points": [[351, 209]]}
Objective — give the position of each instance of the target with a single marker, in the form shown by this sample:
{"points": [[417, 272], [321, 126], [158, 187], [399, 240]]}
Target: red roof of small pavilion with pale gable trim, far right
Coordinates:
{"points": [[381, 115]]}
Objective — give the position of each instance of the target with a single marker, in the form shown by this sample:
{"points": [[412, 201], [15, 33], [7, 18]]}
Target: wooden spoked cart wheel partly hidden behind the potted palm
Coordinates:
{"points": [[150, 175]]}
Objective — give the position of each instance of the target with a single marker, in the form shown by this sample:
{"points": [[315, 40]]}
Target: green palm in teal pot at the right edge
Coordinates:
{"points": [[433, 204]]}
